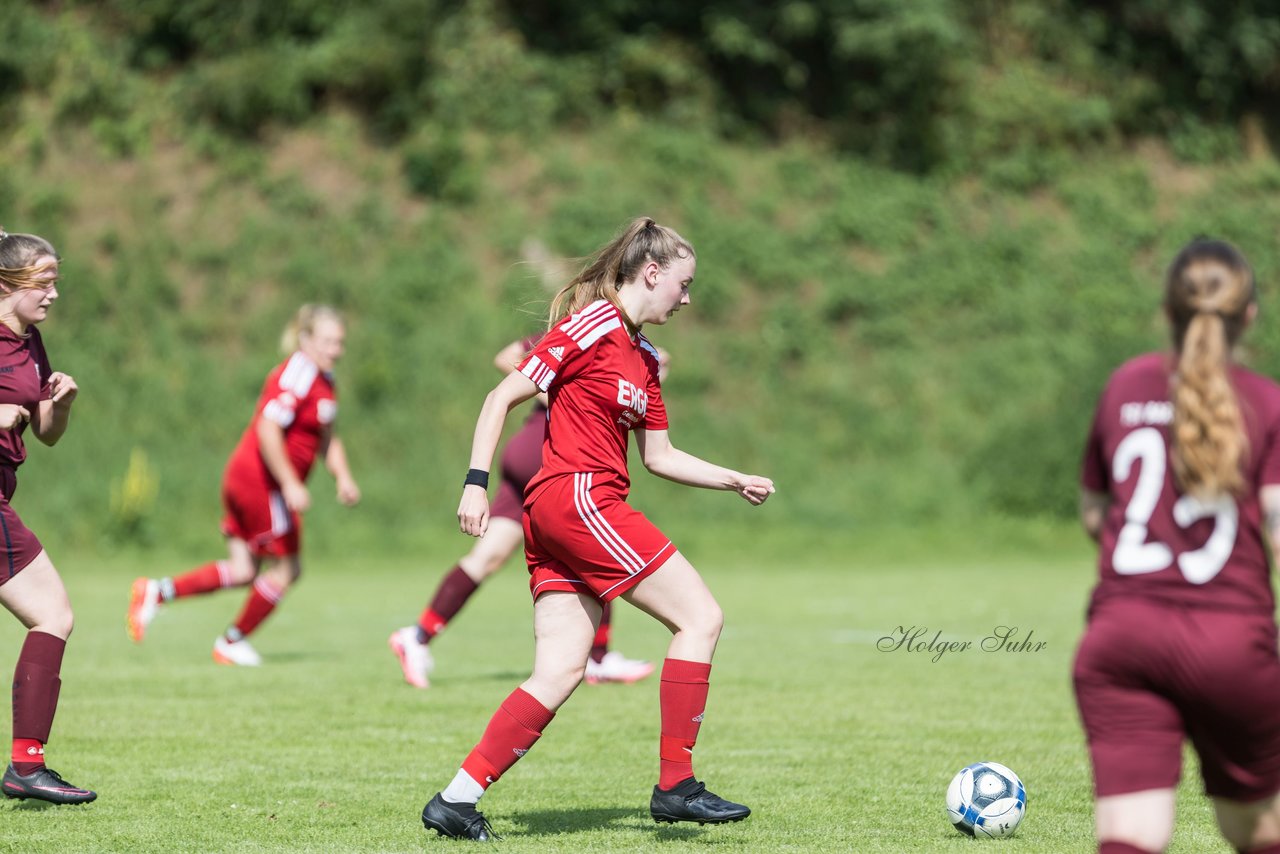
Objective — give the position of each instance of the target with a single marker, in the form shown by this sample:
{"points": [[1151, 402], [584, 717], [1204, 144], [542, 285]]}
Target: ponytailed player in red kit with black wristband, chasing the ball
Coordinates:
{"points": [[583, 542]]}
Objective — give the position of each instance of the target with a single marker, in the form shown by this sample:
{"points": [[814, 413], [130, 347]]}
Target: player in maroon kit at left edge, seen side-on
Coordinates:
{"points": [[31, 392]]}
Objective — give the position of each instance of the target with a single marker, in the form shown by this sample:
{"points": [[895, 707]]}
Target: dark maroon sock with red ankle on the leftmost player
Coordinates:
{"points": [[35, 697]]}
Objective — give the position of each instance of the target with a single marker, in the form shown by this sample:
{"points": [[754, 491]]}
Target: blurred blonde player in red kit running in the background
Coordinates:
{"points": [[264, 488]]}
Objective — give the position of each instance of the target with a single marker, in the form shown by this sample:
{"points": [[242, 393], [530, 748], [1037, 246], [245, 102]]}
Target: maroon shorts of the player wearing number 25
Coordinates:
{"points": [[1149, 677]]}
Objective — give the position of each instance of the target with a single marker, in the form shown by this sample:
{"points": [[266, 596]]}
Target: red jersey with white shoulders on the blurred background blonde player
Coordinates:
{"points": [[300, 398]]}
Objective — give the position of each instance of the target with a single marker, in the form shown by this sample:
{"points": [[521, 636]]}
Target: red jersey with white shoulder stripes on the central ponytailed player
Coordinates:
{"points": [[601, 383]]}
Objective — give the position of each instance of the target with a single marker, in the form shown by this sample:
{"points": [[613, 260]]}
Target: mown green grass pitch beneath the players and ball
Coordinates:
{"points": [[836, 746]]}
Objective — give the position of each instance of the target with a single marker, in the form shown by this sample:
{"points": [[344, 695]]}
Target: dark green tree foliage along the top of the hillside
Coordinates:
{"points": [[926, 85]]}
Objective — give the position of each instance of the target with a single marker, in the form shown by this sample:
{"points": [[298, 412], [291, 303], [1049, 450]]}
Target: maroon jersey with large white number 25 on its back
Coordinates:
{"points": [[1158, 542]]}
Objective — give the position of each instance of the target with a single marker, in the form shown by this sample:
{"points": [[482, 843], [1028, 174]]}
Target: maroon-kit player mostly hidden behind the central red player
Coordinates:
{"points": [[520, 463]]}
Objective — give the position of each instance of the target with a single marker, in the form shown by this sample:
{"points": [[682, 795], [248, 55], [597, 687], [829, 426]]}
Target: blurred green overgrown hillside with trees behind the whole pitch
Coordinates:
{"points": [[926, 231]]}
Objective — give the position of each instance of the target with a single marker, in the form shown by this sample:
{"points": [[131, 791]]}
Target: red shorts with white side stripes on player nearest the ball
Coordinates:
{"points": [[589, 542]]}
